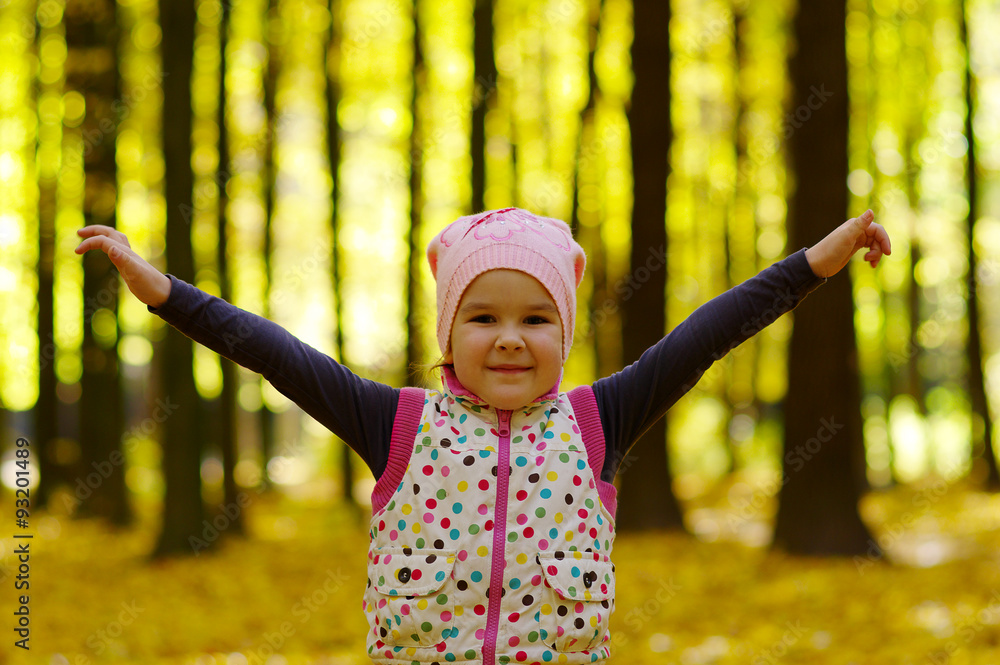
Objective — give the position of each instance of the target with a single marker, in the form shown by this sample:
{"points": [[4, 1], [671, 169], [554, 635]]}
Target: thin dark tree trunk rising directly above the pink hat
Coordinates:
{"points": [[485, 77]]}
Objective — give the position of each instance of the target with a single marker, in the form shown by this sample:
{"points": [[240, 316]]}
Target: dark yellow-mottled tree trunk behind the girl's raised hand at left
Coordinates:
{"points": [[91, 70]]}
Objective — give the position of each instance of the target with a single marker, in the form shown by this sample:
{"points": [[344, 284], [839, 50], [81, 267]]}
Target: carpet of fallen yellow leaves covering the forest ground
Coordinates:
{"points": [[294, 586]]}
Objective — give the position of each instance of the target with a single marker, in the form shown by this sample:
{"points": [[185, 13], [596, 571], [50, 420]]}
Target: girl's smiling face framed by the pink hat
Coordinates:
{"points": [[506, 341]]}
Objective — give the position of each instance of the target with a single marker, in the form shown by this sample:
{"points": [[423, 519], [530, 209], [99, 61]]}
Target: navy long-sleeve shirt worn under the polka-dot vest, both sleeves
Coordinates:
{"points": [[361, 411]]}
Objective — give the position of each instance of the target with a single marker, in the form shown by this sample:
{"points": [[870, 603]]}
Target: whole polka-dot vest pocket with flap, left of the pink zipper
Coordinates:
{"points": [[413, 605]]}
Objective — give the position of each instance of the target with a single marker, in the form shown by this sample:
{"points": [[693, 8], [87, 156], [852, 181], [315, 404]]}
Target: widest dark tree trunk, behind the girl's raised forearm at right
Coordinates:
{"points": [[824, 449]]}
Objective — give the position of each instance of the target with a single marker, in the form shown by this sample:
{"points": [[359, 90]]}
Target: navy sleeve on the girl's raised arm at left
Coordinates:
{"points": [[359, 411]]}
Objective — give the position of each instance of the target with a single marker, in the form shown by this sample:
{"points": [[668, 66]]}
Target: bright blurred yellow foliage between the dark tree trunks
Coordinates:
{"points": [[545, 145]]}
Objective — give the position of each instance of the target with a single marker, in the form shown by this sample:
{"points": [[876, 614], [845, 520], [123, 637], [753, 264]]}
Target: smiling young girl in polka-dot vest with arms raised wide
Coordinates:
{"points": [[493, 513]]}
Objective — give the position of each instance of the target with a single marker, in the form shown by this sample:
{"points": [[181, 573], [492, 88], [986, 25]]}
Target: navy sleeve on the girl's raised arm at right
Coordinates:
{"points": [[631, 400]]}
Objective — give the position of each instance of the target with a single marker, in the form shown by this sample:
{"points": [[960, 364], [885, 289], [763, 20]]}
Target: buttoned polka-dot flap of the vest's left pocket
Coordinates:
{"points": [[403, 571]]}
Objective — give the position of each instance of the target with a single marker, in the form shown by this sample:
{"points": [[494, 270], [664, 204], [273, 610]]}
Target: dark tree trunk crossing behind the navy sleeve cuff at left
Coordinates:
{"points": [[183, 527]]}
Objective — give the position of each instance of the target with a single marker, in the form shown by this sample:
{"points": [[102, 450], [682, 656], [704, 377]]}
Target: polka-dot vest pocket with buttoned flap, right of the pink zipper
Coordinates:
{"points": [[574, 616]]}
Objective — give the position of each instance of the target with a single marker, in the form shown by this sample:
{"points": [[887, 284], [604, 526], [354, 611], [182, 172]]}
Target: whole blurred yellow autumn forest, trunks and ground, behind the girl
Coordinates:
{"points": [[295, 157]]}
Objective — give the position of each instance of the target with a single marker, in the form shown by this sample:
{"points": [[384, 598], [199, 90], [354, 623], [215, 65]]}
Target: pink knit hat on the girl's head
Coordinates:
{"points": [[512, 239]]}
